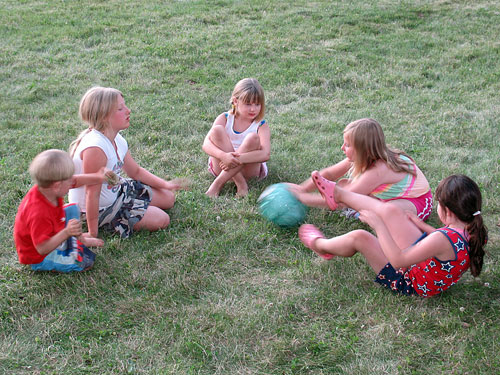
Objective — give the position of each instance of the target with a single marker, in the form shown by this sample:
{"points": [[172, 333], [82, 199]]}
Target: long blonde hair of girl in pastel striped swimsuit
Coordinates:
{"points": [[367, 138]]}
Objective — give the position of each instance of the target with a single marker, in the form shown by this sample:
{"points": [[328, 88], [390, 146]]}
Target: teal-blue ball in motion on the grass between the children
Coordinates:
{"points": [[278, 205]]}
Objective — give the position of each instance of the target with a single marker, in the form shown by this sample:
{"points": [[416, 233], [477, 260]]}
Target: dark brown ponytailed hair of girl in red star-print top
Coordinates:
{"points": [[462, 196]]}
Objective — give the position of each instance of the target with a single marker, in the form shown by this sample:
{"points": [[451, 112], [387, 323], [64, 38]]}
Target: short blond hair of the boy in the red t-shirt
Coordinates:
{"points": [[51, 166]]}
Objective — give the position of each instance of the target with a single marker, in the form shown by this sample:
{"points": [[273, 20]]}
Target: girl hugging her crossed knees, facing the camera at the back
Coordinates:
{"points": [[239, 142]]}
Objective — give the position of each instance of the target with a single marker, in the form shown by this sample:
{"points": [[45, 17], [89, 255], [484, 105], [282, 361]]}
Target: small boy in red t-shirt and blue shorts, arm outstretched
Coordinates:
{"points": [[43, 238]]}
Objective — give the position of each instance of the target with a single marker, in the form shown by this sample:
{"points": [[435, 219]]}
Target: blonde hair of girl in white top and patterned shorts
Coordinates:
{"points": [[95, 107]]}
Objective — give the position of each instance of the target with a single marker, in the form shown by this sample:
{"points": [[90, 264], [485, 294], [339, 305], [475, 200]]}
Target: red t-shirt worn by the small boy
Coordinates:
{"points": [[37, 220]]}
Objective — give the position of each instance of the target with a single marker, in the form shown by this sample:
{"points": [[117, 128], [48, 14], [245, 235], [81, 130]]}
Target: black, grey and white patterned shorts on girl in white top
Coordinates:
{"points": [[128, 209]]}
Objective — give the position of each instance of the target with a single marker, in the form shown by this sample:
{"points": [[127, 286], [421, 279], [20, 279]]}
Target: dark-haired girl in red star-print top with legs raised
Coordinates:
{"points": [[409, 256]]}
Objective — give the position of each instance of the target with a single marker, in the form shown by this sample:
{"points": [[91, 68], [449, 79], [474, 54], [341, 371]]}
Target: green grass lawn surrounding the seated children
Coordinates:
{"points": [[222, 291]]}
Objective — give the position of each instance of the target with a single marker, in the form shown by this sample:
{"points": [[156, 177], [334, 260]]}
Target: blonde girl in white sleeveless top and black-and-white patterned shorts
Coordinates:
{"points": [[130, 204]]}
